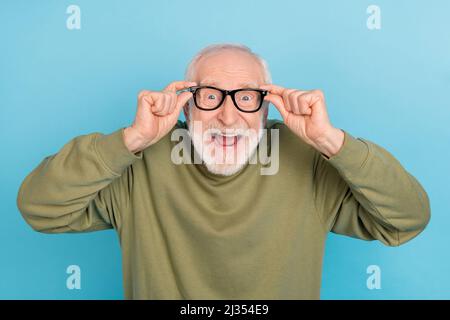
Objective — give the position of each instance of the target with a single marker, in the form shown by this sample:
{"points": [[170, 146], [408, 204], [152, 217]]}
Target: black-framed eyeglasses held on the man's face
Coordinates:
{"points": [[211, 98]]}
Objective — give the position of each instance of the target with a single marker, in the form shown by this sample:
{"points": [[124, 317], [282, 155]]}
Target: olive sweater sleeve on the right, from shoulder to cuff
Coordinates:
{"points": [[364, 192]]}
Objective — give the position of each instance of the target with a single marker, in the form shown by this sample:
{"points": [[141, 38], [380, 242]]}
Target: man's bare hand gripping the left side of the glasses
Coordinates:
{"points": [[157, 113]]}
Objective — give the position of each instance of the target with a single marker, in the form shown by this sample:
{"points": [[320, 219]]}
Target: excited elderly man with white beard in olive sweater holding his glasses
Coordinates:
{"points": [[221, 229]]}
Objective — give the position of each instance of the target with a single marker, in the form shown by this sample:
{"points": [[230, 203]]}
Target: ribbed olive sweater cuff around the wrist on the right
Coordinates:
{"points": [[352, 155]]}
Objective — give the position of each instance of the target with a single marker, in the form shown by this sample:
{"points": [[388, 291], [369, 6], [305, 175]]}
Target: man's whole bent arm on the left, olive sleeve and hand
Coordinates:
{"points": [[86, 185]]}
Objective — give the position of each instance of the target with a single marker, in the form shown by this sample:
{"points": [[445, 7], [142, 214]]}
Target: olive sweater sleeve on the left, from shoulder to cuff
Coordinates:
{"points": [[82, 188]]}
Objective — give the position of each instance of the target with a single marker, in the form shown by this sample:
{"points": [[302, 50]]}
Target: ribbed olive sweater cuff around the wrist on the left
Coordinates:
{"points": [[113, 152]]}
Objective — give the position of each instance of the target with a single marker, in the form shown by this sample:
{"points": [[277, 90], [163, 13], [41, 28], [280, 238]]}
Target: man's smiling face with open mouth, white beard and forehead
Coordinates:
{"points": [[225, 138]]}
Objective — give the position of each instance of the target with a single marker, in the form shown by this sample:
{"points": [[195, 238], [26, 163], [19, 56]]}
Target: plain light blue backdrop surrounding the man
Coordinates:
{"points": [[390, 86]]}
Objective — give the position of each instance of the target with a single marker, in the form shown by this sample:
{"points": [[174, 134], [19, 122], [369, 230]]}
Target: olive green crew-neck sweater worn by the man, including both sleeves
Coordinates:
{"points": [[186, 233]]}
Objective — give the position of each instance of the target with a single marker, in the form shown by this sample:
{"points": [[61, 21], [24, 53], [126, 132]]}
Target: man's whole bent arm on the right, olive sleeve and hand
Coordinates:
{"points": [[361, 190]]}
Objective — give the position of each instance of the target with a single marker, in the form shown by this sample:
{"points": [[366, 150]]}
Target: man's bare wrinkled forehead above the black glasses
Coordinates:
{"points": [[229, 68]]}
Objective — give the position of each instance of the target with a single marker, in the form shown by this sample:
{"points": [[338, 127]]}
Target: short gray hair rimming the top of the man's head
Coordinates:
{"points": [[190, 70]]}
